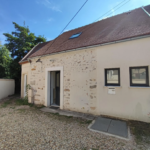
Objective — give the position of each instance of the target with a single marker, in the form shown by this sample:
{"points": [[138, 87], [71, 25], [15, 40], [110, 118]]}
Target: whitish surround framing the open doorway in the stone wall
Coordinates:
{"points": [[47, 85]]}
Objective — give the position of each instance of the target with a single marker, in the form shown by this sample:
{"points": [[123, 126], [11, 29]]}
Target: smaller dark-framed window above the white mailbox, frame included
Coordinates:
{"points": [[112, 77]]}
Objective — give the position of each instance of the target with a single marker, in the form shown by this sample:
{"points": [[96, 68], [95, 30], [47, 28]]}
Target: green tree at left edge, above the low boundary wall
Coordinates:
{"points": [[5, 61]]}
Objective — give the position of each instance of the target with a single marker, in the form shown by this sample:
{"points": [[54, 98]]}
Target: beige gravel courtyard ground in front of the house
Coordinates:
{"points": [[27, 128]]}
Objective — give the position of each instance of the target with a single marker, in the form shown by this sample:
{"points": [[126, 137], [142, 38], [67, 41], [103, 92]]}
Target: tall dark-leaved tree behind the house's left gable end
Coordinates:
{"points": [[19, 43]]}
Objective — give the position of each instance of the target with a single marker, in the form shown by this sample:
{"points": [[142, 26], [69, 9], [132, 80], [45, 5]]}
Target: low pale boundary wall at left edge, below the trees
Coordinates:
{"points": [[7, 87]]}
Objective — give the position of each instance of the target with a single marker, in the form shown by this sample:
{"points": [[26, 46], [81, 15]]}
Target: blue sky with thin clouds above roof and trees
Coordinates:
{"points": [[48, 17]]}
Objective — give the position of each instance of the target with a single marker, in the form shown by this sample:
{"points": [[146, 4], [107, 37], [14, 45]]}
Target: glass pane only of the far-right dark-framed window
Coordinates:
{"points": [[139, 76]]}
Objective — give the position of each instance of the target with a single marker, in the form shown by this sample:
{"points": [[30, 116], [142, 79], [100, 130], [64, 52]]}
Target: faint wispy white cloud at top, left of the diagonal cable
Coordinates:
{"points": [[49, 4]]}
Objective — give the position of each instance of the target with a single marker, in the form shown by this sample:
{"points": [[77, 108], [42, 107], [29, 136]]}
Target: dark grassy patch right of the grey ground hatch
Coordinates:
{"points": [[141, 131]]}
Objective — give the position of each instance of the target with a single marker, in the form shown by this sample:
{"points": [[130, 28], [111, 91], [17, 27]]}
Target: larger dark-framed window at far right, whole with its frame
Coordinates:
{"points": [[139, 76]]}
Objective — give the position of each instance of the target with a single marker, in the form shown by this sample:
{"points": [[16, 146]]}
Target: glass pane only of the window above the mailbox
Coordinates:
{"points": [[112, 76]]}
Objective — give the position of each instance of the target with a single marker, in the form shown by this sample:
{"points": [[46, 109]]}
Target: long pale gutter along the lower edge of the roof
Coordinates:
{"points": [[130, 39]]}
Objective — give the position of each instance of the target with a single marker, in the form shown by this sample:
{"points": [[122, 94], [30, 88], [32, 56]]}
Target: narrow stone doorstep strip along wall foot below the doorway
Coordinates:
{"points": [[69, 113]]}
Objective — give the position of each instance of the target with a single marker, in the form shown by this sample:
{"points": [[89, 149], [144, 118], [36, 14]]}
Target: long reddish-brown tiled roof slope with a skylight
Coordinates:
{"points": [[123, 26]]}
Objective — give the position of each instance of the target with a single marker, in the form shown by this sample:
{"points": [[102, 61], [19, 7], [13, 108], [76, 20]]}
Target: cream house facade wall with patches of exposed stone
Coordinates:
{"points": [[84, 89]]}
